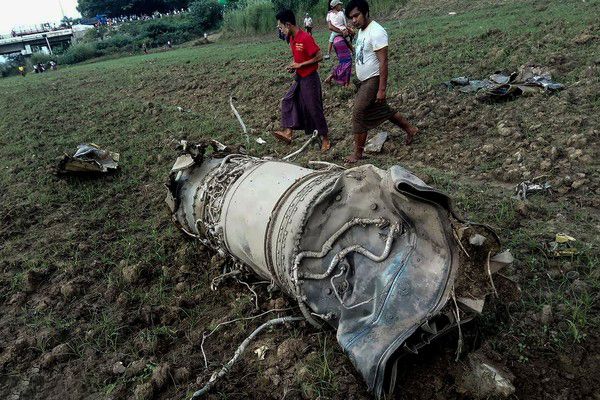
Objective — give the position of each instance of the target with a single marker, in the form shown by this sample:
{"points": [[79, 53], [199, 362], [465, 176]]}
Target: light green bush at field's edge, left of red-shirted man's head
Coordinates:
{"points": [[256, 17]]}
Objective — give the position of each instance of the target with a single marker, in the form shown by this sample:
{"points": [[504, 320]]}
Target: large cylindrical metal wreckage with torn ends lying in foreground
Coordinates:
{"points": [[379, 256]]}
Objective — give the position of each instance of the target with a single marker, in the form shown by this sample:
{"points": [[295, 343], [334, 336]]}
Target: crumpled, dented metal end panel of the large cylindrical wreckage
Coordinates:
{"points": [[397, 295]]}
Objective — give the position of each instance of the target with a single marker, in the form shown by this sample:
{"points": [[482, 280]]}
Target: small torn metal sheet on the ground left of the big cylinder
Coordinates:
{"points": [[89, 158]]}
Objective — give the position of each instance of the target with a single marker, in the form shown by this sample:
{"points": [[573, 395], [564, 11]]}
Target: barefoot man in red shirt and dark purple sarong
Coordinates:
{"points": [[302, 106]]}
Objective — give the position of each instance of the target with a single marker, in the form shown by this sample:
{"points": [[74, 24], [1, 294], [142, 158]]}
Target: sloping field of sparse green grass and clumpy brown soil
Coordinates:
{"points": [[92, 271]]}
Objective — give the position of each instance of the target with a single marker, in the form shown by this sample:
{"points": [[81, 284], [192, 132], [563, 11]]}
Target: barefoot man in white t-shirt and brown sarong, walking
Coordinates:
{"points": [[370, 106]]}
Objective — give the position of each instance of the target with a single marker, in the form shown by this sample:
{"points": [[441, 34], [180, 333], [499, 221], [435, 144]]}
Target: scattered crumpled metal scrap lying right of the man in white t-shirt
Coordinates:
{"points": [[499, 86]]}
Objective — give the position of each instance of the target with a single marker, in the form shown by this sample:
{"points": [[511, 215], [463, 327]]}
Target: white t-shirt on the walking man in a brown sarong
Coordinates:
{"points": [[367, 43]]}
